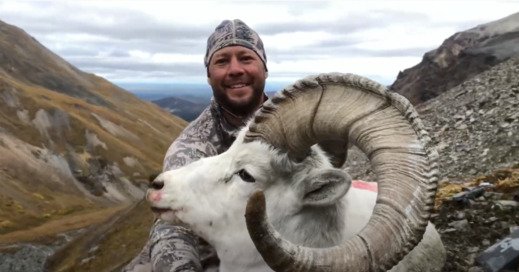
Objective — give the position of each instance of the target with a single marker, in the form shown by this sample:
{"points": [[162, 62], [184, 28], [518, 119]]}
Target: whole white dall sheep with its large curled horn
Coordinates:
{"points": [[317, 221]]}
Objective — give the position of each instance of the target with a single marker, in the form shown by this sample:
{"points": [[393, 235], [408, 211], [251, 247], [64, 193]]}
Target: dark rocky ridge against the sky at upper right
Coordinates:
{"points": [[459, 58]]}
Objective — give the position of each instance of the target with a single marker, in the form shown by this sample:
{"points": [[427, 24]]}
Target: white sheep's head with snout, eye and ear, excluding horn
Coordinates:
{"points": [[210, 195]]}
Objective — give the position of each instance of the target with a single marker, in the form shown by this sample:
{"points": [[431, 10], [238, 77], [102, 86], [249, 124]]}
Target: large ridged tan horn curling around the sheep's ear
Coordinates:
{"points": [[383, 125]]}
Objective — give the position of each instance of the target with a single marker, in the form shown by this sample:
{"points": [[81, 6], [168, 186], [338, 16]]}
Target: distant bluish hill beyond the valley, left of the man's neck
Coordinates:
{"points": [[182, 108]]}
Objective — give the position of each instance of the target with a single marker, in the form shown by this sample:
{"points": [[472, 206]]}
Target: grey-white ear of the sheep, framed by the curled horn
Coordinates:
{"points": [[325, 187]]}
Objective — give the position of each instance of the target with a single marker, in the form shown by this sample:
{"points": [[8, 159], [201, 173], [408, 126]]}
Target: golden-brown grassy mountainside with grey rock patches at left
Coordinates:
{"points": [[70, 141]]}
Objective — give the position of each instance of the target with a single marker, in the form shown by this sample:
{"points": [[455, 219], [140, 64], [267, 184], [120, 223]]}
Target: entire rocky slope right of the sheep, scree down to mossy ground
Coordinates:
{"points": [[475, 127]]}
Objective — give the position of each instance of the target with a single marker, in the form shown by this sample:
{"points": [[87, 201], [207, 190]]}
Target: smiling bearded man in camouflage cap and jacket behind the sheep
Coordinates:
{"points": [[236, 71]]}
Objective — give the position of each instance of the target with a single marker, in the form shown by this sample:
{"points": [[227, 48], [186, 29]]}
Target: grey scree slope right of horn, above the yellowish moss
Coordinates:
{"points": [[476, 125]]}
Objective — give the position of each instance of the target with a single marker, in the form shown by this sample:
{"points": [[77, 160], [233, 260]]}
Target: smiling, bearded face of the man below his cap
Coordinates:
{"points": [[237, 76]]}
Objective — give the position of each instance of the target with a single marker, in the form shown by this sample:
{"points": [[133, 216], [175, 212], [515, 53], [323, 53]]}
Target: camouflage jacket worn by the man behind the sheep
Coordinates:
{"points": [[173, 247]]}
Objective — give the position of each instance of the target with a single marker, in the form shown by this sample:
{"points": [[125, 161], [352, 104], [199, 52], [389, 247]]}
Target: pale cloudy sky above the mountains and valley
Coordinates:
{"points": [[164, 41]]}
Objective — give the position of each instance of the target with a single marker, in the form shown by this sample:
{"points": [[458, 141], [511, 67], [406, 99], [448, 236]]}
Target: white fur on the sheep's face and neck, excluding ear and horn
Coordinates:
{"points": [[210, 197]]}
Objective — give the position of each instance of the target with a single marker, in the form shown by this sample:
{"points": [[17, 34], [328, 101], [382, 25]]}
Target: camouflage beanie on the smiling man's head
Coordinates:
{"points": [[234, 32]]}
